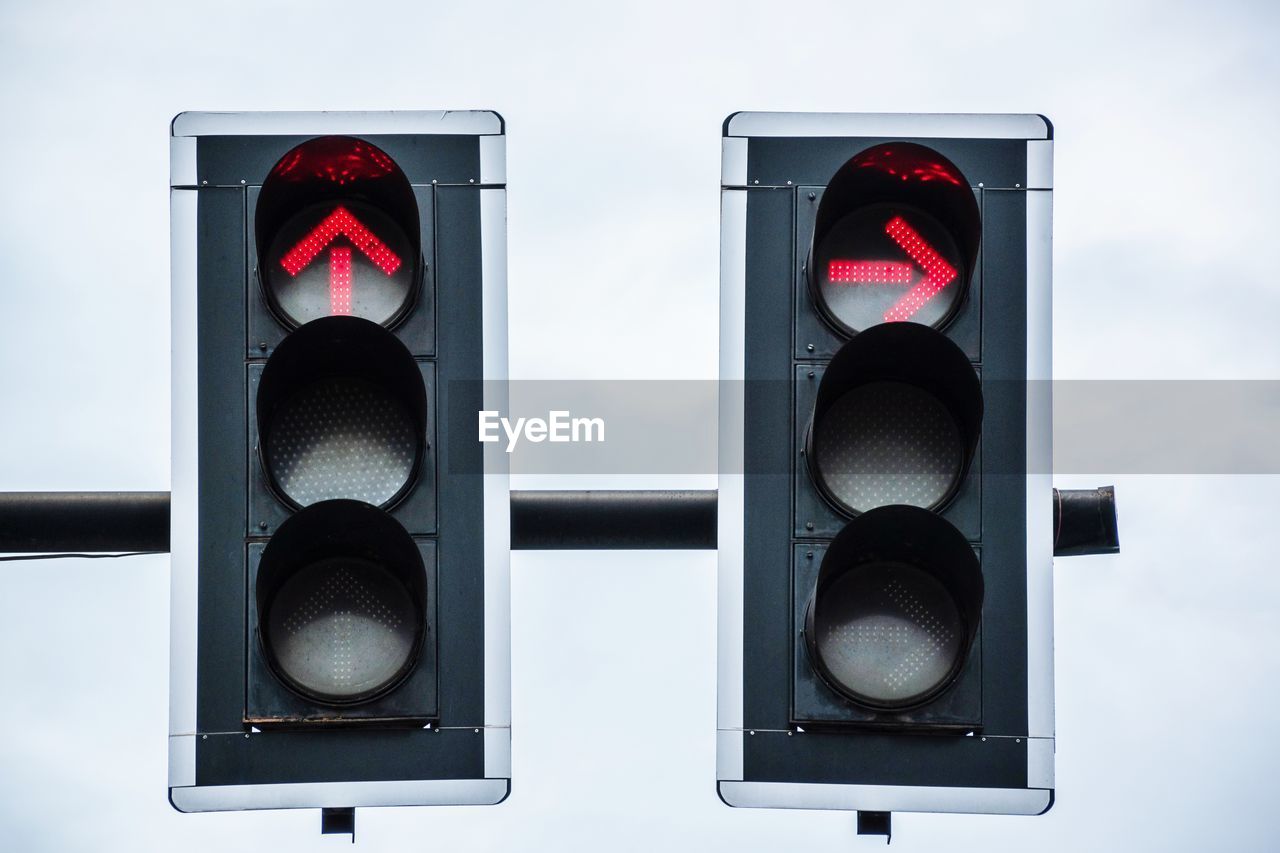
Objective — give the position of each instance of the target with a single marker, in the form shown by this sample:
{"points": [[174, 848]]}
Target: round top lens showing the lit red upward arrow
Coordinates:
{"points": [[340, 258]]}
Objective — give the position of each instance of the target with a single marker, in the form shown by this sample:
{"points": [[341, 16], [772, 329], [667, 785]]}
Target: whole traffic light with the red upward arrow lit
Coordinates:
{"points": [[341, 542]]}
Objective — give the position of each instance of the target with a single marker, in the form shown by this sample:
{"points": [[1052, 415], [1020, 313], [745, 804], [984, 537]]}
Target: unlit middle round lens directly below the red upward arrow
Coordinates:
{"points": [[341, 439]]}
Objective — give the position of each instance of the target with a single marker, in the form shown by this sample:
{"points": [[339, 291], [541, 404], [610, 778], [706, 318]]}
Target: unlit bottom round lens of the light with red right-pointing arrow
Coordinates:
{"points": [[889, 633]]}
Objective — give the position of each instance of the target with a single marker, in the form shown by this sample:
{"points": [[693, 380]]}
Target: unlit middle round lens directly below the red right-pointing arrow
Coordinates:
{"points": [[888, 443]]}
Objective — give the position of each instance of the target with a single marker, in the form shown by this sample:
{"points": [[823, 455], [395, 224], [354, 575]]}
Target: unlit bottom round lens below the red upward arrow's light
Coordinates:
{"points": [[342, 630]]}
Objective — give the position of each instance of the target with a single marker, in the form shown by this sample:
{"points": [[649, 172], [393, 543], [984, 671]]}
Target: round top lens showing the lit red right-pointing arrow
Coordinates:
{"points": [[888, 264]]}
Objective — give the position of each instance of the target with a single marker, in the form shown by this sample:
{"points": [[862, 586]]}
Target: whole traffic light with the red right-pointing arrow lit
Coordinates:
{"points": [[885, 495]]}
